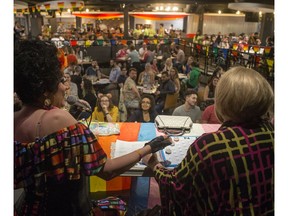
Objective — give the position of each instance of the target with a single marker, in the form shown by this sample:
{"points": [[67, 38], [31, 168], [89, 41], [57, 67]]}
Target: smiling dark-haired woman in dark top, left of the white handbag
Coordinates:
{"points": [[147, 112]]}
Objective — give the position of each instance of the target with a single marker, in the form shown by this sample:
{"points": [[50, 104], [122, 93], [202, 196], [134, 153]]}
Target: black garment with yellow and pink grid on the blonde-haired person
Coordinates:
{"points": [[227, 172]]}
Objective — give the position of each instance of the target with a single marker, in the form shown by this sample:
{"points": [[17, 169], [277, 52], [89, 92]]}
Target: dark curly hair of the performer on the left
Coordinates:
{"points": [[36, 70]]}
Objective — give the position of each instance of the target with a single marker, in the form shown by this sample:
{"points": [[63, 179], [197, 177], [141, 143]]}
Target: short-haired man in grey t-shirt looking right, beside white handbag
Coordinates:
{"points": [[189, 108]]}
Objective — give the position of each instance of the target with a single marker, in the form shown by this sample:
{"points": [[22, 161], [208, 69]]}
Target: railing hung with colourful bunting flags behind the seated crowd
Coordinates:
{"points": [[259, 58]]}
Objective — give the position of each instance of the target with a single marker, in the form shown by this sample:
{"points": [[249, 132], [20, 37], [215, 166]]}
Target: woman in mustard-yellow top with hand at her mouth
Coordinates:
{"points": [[105, 111]]}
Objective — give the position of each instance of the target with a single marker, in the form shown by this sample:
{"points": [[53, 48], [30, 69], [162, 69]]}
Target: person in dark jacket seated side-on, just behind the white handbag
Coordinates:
{"points": [[166, 87]]}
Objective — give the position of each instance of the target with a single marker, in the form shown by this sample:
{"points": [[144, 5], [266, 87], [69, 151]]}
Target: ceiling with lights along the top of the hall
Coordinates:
{"points": [[188, 6]]}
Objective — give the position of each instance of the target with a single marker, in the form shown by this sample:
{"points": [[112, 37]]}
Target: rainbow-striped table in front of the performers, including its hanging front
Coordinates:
{"points": [[144, 192]]}
